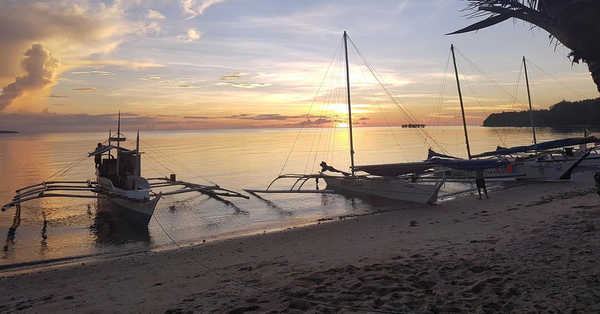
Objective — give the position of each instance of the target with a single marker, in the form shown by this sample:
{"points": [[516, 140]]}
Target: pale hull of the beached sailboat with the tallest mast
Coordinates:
{"points": [[389, 188]]}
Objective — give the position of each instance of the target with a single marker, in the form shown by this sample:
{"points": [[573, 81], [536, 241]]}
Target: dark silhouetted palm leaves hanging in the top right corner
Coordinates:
{"points": [[574, 23]]}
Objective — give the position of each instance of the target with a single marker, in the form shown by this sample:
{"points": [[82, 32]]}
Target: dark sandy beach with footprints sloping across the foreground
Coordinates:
{"points": [[529, 249]]}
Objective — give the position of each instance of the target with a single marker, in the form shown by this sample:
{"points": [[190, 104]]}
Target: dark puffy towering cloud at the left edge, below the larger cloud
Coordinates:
{"points": [[40, 68]]}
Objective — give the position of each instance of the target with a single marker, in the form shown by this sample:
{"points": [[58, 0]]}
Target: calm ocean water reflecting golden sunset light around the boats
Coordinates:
{"points": [[234, 159]]}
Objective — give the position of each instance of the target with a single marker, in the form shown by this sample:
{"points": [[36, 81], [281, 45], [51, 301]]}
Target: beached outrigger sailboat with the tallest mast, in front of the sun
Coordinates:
{"points": [[353, 184]]}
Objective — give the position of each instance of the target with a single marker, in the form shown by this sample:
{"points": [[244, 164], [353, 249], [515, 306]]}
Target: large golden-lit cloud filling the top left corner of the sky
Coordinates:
{"points": [[70, 29]]}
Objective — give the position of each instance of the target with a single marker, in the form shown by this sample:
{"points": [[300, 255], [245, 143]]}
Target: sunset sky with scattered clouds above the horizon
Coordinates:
{"points": [[204, 64]]}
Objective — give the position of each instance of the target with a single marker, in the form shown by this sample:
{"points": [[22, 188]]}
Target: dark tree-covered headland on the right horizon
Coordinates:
{"points": [[565, 114]]}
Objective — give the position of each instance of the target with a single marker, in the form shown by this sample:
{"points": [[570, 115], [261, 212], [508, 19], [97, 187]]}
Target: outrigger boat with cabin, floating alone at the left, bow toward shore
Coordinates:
{"points": [[119, 180]]}
